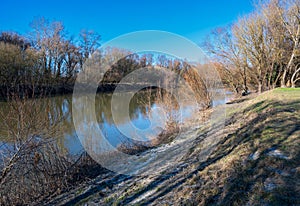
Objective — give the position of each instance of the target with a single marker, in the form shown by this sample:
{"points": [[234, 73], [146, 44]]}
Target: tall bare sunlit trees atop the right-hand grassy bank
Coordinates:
{"points": [[260, 51]]}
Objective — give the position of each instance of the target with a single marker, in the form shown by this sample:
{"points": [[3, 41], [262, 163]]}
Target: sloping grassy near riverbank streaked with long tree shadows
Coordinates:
{"points": [[253, 160]]}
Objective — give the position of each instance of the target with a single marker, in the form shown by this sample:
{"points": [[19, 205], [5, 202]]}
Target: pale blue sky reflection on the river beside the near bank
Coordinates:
{"points": [[146, 126]]}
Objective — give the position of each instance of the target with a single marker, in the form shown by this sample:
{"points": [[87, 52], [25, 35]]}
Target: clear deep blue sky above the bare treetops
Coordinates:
{"points": [[111, 18]]}
